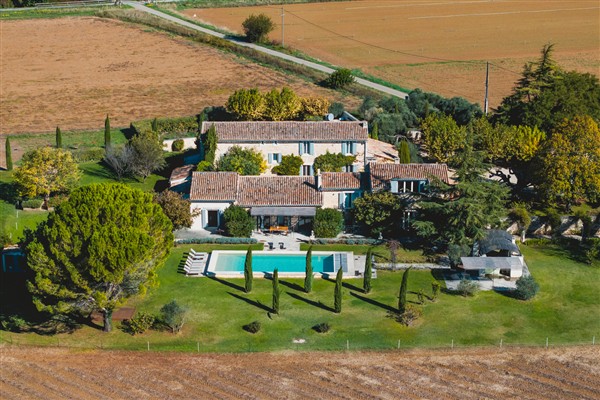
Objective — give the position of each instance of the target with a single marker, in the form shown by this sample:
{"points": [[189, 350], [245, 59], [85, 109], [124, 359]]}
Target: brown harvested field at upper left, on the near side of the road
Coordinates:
{"points": [[71, 72]]}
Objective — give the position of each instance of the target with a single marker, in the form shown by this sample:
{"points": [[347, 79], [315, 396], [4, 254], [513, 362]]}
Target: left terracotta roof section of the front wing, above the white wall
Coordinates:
{"points": [[214, 186]]}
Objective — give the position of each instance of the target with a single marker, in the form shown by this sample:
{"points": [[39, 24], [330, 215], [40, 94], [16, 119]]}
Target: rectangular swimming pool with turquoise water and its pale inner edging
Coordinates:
{"points": [[288, 264]]}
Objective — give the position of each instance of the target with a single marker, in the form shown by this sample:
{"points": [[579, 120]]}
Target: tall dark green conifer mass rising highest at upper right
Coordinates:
{"points": [[546, 95]]}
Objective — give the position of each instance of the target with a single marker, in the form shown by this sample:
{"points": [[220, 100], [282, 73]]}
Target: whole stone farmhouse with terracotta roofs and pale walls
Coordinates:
{"points": [[291, 201]]}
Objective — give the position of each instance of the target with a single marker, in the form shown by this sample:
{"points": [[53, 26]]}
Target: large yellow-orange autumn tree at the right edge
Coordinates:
{"points": [[571, 163]]}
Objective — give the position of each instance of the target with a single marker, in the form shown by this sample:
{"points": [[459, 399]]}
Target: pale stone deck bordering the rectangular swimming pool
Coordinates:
{"points": [[355, 265]]}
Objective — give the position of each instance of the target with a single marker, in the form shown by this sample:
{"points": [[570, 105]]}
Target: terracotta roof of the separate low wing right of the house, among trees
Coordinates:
{"points": [[383, 173]]}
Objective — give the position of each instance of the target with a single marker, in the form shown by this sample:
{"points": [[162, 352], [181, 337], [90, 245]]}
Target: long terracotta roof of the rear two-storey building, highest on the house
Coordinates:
{"points": [[288, 131]]}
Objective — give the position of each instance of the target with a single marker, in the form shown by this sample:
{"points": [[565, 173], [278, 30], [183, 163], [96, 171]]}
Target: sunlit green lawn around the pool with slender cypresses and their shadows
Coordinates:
{"points": [[567, 310]]}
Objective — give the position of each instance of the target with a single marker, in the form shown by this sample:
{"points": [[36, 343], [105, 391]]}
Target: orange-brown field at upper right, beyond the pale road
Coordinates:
{"points": [[439, 46]]}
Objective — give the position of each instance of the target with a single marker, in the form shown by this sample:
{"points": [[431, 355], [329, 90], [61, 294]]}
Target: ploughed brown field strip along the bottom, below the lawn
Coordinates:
{"points": [[516, 373]]}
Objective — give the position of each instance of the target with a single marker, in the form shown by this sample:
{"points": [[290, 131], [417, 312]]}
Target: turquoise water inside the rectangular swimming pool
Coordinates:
{"points": [[292, 263]]}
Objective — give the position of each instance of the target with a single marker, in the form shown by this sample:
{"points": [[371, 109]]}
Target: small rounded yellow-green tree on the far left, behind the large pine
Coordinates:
{"points": [[45, 171]]}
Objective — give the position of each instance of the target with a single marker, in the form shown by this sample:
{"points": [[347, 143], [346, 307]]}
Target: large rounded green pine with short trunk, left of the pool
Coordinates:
{"points": [[99, 247]]}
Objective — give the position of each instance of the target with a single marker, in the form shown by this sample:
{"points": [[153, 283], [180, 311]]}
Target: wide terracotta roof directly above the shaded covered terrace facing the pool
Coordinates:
{"points": [[278, 191]]}
